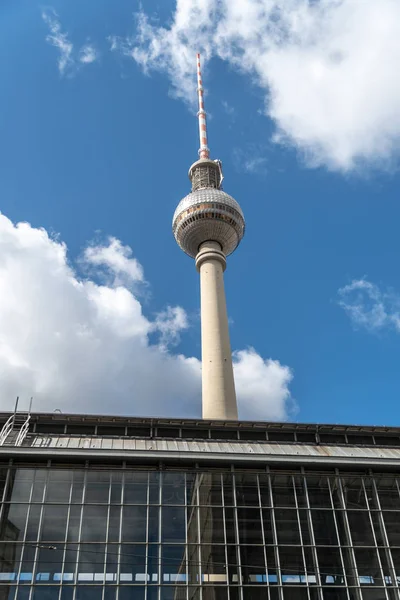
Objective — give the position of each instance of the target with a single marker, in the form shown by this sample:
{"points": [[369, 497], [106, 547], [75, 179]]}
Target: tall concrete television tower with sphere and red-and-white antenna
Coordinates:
{"points": [[208, 225]]}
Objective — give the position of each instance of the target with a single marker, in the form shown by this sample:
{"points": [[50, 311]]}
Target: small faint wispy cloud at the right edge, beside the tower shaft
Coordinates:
{"points": [[369, 307]]}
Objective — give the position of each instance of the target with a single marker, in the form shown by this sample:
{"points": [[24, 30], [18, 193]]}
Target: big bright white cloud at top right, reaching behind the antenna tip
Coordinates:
{"points": [[328, 68]]}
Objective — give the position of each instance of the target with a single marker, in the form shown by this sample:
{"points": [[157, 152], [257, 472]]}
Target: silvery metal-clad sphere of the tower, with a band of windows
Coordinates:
{"points": [[205, 215]]}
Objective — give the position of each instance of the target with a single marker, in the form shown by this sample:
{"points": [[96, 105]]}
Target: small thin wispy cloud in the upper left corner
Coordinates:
{"points": [[68, 57]]}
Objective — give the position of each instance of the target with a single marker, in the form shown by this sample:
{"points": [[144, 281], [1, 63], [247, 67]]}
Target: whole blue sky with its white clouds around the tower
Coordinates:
{"points": [[308, 132]]}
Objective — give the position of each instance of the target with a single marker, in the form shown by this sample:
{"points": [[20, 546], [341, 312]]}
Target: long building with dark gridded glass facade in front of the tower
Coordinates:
{"points": [[76, 526]]}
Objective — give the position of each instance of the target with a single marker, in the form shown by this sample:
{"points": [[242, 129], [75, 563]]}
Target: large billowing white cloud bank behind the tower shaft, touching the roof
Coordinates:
{"points": [[81, 346]]}
